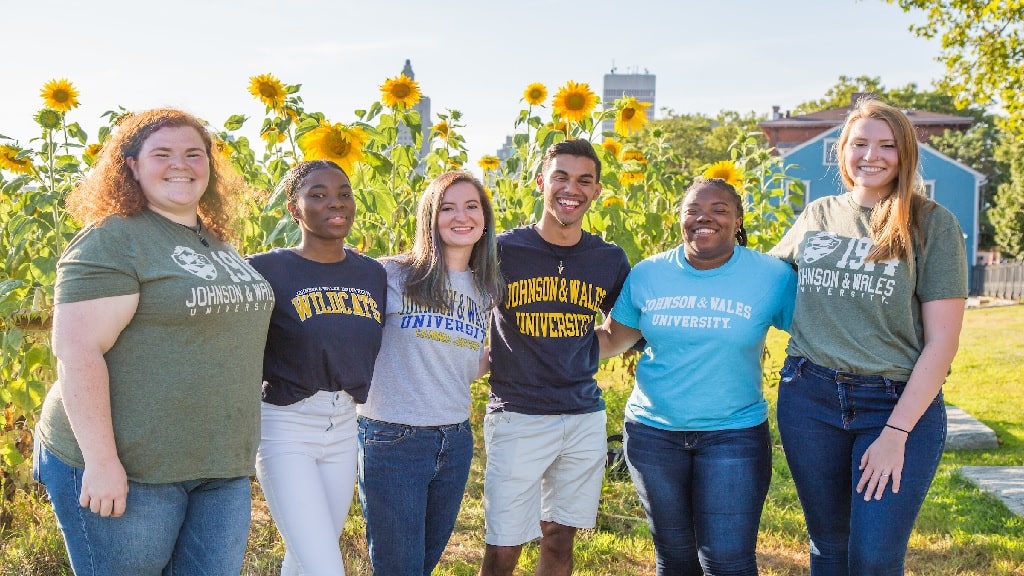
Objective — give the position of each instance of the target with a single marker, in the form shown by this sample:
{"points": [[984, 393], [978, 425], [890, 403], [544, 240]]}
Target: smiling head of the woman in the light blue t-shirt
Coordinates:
{"points": [[710, 220]]}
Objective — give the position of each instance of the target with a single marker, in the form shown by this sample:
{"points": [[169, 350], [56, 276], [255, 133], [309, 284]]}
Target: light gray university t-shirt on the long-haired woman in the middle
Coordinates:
{"points": [[429, 358]]}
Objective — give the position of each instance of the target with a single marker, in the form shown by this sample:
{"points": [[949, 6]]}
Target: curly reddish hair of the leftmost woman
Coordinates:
{"points": [[111, 189]]}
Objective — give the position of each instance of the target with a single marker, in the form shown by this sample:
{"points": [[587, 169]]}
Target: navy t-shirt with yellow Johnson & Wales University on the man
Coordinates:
{"points": [[544, 354]]}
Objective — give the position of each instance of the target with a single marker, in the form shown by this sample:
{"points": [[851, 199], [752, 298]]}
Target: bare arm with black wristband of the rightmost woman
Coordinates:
{"points": [[943, 321]]}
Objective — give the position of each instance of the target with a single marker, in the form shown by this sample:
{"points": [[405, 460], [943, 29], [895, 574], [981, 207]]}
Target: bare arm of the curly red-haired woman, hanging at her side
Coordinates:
{"points": [[83, 333]]}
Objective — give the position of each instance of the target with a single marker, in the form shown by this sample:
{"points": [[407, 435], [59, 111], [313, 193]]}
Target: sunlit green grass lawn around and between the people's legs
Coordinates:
{"points": [[961, 531]]}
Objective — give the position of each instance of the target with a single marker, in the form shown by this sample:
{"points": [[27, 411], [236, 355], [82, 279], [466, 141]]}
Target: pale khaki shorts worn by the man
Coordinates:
{"points": [[548, 468]]}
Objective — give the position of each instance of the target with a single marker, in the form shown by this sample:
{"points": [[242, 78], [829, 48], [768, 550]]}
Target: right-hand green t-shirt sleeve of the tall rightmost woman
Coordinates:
{"points": [[943, 265]]}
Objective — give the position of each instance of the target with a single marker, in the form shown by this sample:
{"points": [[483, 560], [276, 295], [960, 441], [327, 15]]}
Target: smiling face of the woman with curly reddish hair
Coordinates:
{"points": [[174, 171]]}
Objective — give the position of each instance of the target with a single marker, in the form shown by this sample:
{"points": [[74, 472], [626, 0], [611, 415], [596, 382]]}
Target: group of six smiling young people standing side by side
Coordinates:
{"points": [[148, 440]]}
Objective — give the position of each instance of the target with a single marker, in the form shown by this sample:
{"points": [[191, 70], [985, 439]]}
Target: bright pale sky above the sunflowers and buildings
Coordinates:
{"points": [[473, 56]]}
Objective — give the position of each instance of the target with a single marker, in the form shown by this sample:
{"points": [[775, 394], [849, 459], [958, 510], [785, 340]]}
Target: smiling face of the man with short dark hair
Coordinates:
{"points": [[570, 186]]}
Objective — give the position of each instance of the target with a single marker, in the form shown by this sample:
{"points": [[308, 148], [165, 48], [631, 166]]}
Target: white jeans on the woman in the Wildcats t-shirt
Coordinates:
{"points": [[307, 468]]}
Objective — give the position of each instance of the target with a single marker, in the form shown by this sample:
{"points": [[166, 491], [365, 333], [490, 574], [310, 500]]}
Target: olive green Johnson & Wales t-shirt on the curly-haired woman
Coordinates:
{"points": [[186, 374]]}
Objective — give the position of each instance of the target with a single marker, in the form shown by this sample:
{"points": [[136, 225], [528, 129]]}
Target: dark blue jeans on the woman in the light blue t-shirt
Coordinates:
{"points": [[703, 493]]}
